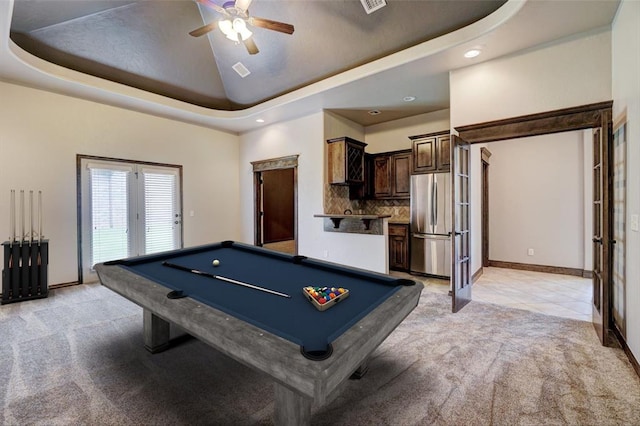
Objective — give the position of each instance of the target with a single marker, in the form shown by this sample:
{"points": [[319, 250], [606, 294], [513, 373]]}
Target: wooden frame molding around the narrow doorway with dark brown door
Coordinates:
{"points": [[287, 162]]}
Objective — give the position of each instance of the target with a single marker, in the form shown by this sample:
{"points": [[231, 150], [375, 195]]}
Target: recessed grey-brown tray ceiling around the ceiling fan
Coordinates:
{"points": [[146, 44]]}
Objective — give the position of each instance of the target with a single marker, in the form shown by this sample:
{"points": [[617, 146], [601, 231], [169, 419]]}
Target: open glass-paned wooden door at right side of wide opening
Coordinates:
{"points": [[601, 235]]}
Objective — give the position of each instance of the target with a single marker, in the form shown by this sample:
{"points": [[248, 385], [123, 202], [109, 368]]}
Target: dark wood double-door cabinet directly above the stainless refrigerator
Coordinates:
{"points": [[431, 152]]}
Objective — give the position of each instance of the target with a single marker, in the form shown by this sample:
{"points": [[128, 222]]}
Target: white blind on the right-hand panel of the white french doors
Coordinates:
{"points": [[160, 216]]}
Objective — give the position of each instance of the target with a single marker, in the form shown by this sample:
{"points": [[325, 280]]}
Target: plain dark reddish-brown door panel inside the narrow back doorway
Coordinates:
{"points": [[278, 205]]}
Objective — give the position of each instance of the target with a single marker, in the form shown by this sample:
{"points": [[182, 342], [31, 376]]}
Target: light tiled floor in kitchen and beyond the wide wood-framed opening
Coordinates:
{"points": [[552, 294]]}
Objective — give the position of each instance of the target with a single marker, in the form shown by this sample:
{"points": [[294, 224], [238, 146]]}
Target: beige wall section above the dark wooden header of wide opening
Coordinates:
{"points": [[570, 72]]}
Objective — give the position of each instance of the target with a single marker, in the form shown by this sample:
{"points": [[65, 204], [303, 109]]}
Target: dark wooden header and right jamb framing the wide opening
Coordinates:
{"points": [[562, 120]]}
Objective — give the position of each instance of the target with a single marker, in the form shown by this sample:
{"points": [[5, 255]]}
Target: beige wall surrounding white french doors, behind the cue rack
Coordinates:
{"points": [[43, 132]]}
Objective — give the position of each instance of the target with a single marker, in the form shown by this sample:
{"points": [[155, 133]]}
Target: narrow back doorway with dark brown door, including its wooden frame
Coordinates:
{"points": [[275, 189]]}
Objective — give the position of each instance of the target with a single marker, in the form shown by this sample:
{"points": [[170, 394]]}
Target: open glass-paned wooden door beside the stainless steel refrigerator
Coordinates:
{"points": [[461, 237]]}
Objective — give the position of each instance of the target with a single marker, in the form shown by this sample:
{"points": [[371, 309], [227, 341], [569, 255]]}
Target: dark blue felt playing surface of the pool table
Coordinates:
{"points": [[295, 319]]}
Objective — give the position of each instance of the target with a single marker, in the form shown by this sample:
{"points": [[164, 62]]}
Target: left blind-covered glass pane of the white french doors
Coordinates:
{"points": [[109, 215]]}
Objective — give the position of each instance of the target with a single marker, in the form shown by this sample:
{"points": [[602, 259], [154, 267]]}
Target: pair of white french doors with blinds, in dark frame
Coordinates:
{"points": [[127, 209]]}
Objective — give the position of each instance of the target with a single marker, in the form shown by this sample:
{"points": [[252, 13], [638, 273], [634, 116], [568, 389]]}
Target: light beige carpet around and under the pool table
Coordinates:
{"points": [[77, 358]]}
